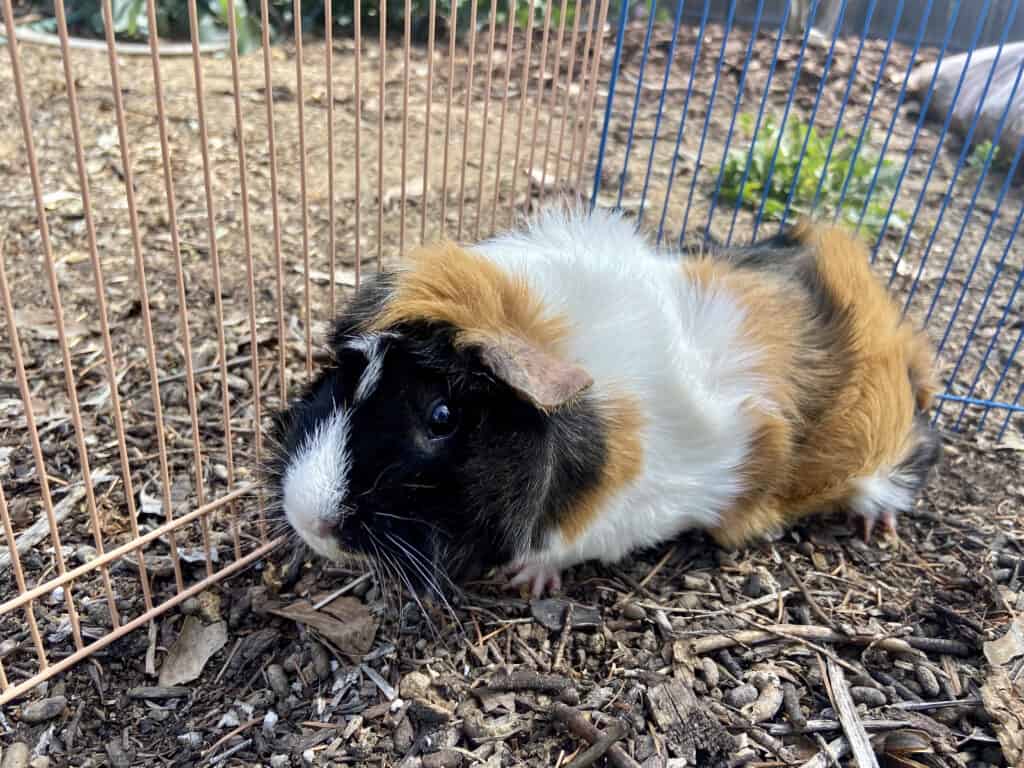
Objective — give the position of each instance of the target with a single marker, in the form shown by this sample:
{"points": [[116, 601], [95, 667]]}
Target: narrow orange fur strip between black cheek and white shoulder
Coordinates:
{"points": [[623, 420]]}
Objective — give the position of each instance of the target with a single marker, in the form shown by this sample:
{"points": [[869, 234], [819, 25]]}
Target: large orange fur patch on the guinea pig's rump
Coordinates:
{"points": [[801, 464]]}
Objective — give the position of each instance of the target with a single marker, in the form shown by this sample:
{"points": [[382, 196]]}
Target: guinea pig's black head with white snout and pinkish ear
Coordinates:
{"points": [[424, 446]]}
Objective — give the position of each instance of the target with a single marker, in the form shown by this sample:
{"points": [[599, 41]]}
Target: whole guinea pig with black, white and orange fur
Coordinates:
{"points": [[568, 393]]}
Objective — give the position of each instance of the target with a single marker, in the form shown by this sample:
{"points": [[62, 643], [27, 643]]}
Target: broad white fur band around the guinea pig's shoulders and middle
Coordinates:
{"points": [[691, 371]]}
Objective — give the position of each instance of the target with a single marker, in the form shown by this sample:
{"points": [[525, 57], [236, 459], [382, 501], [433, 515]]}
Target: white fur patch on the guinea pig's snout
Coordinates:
{"points": [[316, 485]]}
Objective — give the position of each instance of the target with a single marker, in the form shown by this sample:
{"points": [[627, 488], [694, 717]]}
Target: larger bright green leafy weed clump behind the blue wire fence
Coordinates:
{"points": [[847, 168]]}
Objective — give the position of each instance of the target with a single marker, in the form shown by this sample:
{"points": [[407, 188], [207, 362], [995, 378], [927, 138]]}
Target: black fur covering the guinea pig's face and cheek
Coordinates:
{"points": [[443, 510]]}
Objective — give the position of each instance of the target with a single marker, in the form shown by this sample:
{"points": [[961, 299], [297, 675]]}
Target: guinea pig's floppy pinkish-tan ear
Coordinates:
{"points": [[545, 380]]}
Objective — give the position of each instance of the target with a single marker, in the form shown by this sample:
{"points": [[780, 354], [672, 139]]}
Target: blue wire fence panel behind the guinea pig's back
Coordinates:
{"points": [[728, 119]]}
